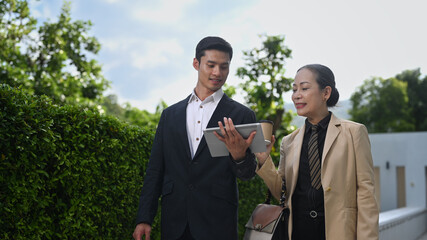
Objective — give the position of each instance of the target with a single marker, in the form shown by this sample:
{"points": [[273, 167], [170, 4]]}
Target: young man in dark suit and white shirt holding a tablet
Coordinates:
{"points": [[199, 196]]}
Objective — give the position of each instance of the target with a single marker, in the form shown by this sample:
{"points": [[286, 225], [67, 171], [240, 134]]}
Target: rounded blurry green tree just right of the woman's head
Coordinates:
{"points": [[382, 105]]}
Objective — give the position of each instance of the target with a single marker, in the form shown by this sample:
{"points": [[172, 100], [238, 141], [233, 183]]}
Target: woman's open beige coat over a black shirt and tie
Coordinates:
{"points": [[351, 209]]}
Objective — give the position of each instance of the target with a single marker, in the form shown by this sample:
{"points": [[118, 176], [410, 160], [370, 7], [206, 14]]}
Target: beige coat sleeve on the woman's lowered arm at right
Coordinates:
{"points": [[368, 212]]}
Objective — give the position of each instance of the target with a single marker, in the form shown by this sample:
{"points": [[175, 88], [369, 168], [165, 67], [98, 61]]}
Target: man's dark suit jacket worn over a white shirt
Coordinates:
{"points": [[201, 192]]}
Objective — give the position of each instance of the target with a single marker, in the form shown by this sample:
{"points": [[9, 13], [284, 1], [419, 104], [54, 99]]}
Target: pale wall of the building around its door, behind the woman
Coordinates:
{"points": [[401, 149]]}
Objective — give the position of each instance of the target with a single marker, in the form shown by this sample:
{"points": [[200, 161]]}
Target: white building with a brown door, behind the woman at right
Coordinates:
{"points": [[400, 161]]}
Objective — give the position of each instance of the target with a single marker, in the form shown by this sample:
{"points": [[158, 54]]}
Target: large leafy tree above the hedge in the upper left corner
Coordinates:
{"points": [[52, 61]]}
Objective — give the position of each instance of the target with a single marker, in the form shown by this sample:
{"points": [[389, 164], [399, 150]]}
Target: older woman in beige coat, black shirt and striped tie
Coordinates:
{"points": [[326, 164]]}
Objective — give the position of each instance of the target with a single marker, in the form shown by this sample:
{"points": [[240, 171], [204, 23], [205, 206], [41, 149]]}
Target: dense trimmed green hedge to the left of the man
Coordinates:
{"points": [[67, 172]]}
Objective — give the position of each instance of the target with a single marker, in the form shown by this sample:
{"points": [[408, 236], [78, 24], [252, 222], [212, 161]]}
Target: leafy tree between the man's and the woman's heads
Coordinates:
{"points": [[265, 83]]}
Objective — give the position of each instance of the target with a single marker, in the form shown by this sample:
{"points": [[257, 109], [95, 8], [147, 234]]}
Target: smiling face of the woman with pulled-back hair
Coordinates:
{"points": [[308, 98]]}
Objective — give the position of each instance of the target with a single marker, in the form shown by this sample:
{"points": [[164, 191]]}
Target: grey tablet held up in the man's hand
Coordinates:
{"points": [[218, 148]]}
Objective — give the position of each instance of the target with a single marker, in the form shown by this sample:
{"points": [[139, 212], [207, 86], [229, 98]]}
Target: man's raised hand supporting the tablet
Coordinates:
{"points": [[234, 142]]}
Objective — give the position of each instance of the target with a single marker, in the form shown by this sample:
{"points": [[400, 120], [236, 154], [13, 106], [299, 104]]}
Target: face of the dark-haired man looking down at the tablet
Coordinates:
{"points": [[213, 70]]}
